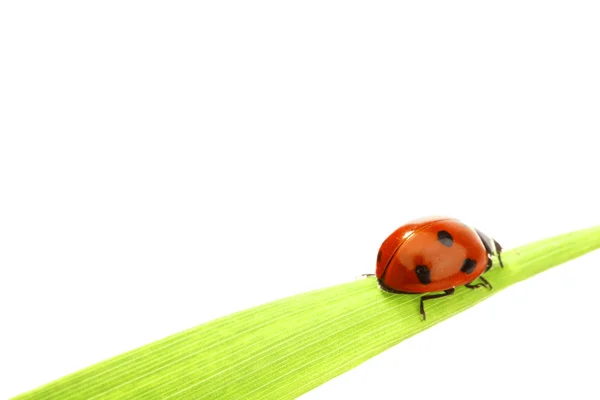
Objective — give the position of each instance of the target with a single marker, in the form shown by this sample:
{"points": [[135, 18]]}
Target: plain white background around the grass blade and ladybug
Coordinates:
{"points": [[166, 163]]}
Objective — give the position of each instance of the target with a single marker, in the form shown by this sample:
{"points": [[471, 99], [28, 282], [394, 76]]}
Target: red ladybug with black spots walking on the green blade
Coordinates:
{"points": [[435, 254]]}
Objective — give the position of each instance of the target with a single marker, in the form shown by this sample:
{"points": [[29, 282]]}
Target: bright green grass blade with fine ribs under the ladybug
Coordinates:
{"points": [[285, 348]]}
